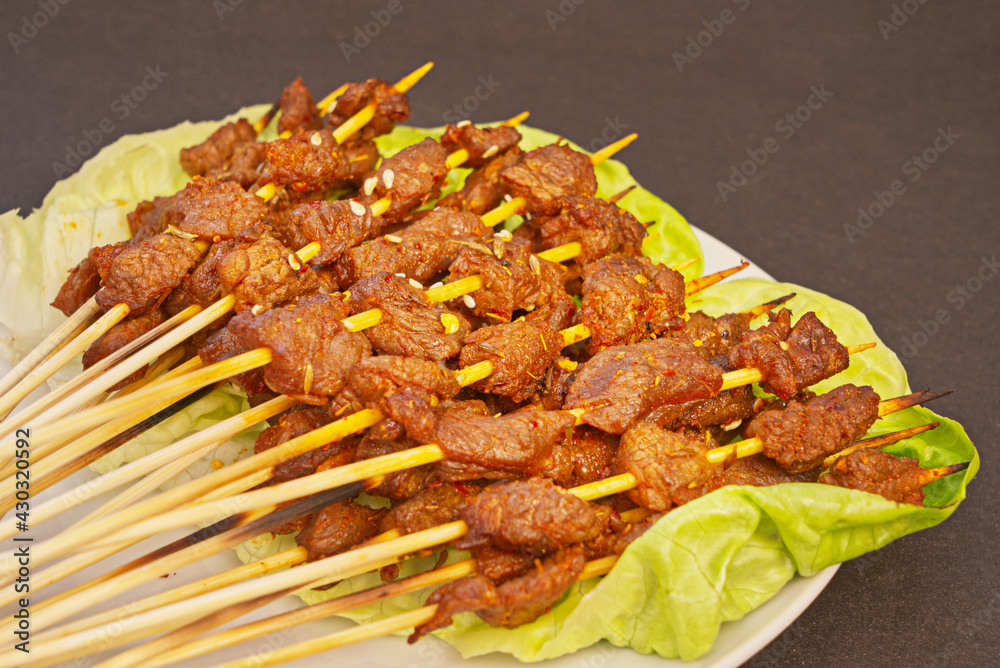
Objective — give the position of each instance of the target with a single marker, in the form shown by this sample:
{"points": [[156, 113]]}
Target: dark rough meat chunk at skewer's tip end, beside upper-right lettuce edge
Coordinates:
{"points": [[601, 227]]}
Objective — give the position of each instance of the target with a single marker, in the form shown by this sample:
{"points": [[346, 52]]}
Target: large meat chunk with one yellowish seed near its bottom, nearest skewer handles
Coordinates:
{"points": [[313, 353]]}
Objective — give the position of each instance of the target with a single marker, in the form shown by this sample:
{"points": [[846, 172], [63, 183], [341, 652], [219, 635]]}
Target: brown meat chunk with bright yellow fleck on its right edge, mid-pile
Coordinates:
{"points": [[410, 324]]}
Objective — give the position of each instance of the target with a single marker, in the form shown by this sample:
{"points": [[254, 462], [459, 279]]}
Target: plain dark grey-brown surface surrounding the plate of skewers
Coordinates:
{"points": [[928, 599]]}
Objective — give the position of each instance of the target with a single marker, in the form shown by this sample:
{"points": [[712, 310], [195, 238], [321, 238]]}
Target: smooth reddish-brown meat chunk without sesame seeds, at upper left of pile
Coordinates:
{"points": [[210, 209]]}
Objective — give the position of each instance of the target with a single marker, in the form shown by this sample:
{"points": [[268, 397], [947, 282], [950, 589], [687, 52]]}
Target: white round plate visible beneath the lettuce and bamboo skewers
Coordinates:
{"points": [[737, 641]]}
